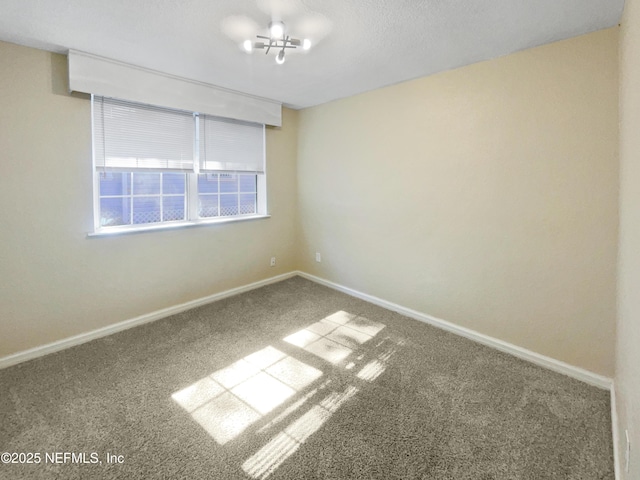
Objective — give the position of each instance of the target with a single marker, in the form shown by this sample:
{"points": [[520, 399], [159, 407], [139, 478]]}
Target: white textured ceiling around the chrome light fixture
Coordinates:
{"points": [[358, 45]]}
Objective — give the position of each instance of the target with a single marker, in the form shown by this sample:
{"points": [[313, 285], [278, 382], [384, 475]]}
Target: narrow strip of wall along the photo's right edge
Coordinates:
{"points": [[627, 378]]}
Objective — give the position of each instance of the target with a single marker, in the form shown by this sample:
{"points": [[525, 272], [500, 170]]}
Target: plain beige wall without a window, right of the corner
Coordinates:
{"points": [[485, 196]]}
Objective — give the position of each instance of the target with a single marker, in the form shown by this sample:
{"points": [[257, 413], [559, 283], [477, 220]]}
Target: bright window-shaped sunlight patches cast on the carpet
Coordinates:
{"points": [[272, 393]]}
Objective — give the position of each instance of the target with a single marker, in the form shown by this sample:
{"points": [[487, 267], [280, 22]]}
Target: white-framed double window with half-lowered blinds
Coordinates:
{"points": [[156, 166]]}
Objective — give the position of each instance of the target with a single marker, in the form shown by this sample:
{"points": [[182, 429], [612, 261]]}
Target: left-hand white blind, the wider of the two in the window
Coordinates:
{"points": [[134, 136]]}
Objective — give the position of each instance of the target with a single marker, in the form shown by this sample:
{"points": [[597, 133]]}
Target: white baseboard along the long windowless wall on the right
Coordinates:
{"points": [[533, 357]]}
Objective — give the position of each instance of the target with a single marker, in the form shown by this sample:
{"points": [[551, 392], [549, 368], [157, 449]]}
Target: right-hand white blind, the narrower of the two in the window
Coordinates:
{"points": [[230, 145]]}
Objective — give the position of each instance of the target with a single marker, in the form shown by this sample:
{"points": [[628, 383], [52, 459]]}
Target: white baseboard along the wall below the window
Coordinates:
{"points": [[36, 352]]}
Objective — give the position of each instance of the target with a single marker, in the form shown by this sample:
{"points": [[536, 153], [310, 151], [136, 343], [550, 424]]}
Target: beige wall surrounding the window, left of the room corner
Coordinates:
{"points": [[56, 282]]}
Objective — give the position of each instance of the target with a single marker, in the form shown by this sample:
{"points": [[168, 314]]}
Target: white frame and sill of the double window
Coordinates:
{"points": [[192, 216]]}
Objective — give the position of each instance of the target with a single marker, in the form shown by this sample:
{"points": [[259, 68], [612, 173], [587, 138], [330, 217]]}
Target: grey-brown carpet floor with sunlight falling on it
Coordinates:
{"points": [[297, 381]]}
